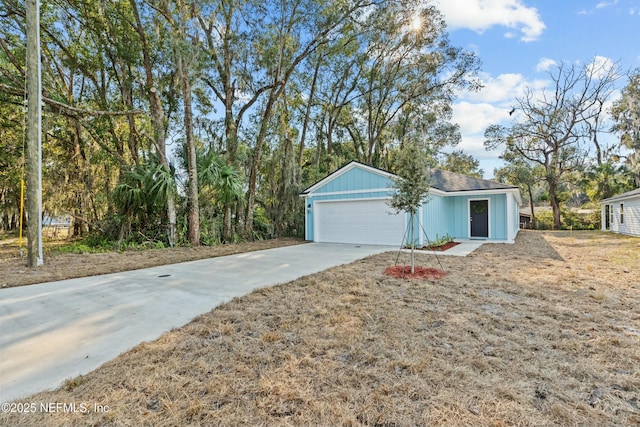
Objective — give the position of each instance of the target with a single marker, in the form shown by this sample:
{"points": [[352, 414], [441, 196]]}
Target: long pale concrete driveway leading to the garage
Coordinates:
{"points": [[58, 330]]}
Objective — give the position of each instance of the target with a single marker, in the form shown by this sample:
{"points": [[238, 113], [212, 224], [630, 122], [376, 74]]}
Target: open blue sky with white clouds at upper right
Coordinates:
{"points": [[519, 40]]}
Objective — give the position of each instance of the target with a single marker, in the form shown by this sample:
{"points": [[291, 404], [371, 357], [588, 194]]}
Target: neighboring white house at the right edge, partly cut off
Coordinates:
{"points": [[621, 213]]}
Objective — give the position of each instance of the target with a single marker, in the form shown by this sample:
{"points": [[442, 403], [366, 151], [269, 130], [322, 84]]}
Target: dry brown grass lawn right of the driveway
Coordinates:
{"points": [[543, 332]]}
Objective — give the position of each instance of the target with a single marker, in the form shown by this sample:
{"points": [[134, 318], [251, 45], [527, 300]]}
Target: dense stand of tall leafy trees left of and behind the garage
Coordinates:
{"points": [[272, 95]]}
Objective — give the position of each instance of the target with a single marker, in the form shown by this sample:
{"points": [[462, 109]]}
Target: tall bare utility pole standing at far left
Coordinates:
{"points": [[34, 135]]}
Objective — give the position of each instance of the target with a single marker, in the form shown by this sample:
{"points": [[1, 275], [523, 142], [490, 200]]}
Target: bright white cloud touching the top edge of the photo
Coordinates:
{"points": [[480, 15]]}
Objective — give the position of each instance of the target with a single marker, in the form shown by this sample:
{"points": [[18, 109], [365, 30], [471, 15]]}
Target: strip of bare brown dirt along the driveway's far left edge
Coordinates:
{"points": [[60, 266]]}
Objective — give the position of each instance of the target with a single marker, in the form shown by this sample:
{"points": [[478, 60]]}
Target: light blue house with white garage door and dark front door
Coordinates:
{"points": [[351, 205]]}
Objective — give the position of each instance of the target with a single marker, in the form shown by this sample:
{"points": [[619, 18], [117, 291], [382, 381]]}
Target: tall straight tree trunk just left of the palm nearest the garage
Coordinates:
{"points": [[194, 207]]}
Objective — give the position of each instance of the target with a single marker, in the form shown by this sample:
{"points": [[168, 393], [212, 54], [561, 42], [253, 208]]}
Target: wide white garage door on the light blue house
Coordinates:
{"points": [[370, 222]]}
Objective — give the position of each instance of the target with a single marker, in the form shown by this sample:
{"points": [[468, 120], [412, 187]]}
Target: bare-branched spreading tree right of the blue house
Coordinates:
{"points": [[554, 129]]}
